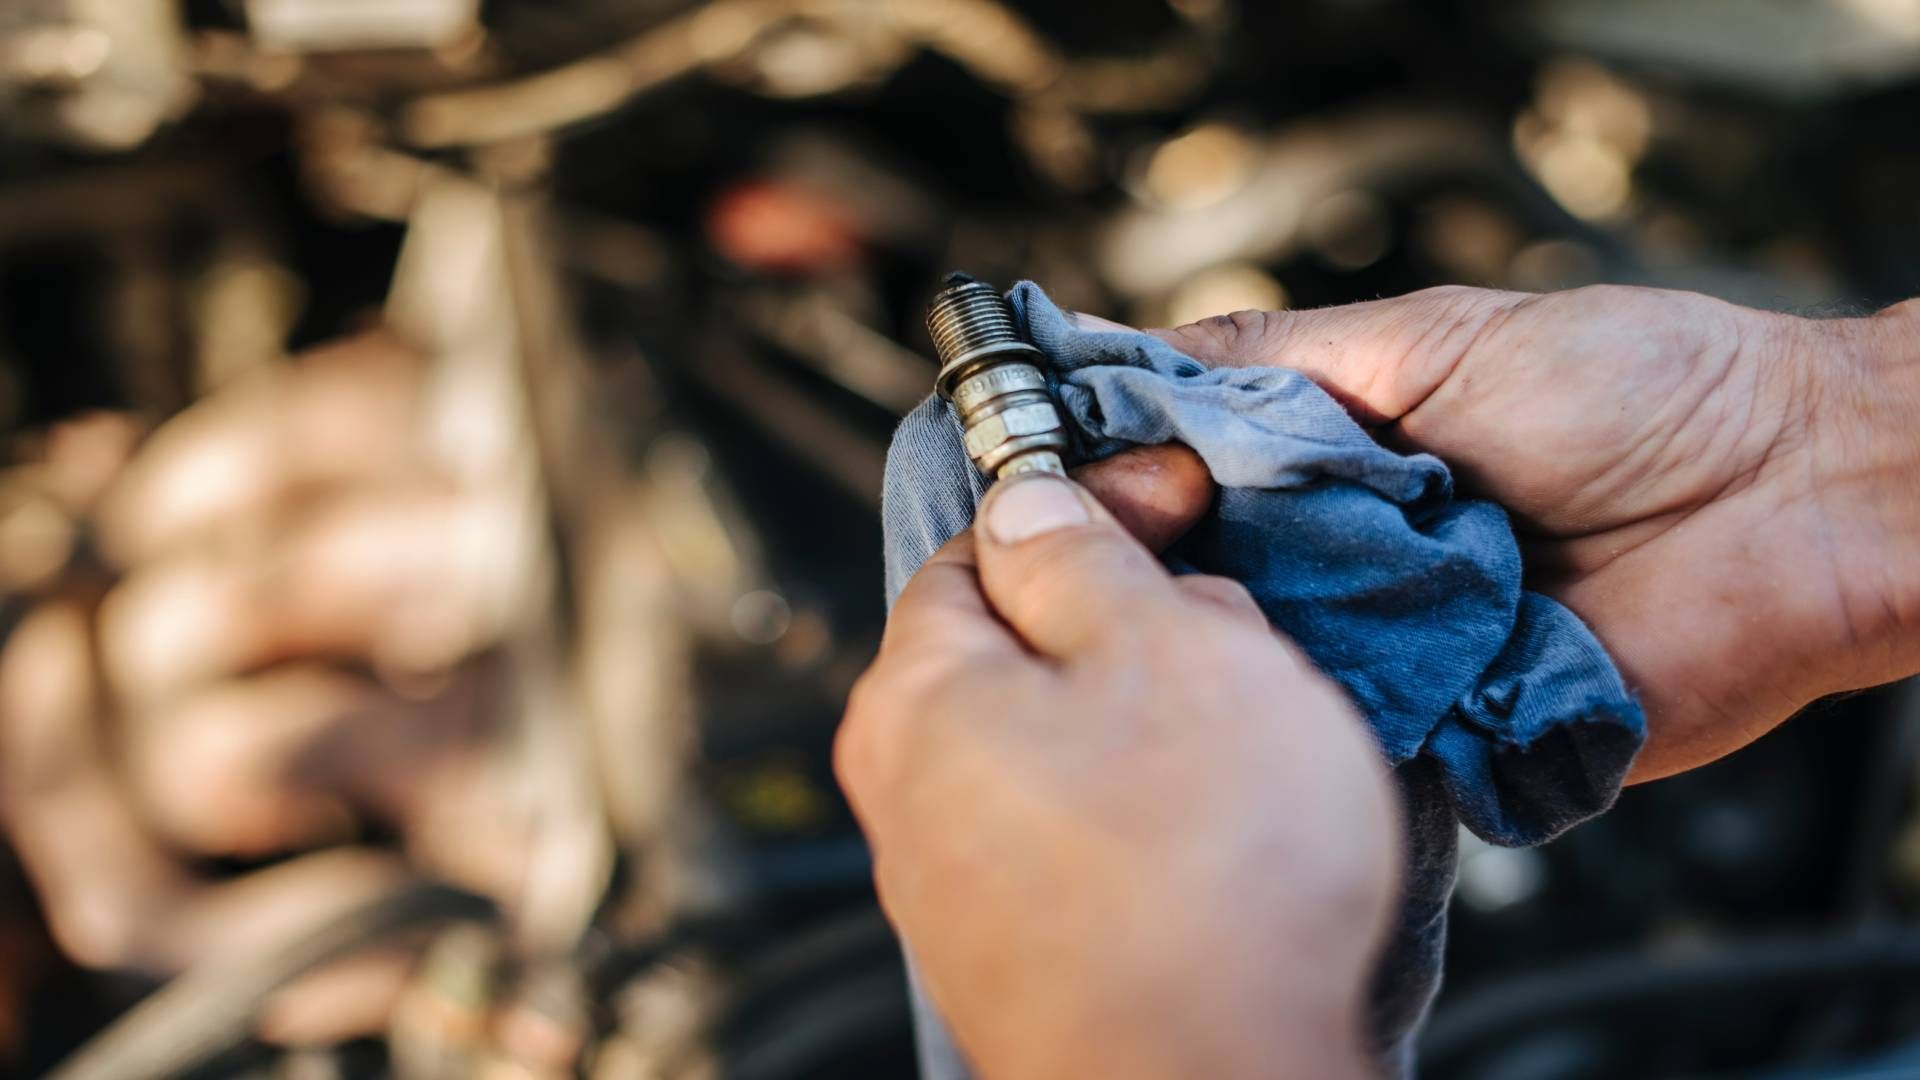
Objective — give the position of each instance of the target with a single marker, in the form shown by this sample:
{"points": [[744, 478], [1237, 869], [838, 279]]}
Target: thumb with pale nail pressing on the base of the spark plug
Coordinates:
{"points": [[1061, 570]]}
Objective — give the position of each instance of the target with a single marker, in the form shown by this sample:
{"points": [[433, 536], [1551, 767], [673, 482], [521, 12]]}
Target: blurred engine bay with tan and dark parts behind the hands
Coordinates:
{"points": [[660, 270]]}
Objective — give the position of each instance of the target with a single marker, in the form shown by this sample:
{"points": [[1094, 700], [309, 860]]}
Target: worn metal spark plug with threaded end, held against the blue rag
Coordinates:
{"points": [[994, 380]]}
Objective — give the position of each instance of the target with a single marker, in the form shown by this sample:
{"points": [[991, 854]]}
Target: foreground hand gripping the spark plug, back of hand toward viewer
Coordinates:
{"points": [[1124, 829]]}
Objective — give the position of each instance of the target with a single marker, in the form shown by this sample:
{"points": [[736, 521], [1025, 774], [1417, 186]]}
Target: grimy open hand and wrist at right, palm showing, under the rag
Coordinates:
{"points": [[1727, 497]]}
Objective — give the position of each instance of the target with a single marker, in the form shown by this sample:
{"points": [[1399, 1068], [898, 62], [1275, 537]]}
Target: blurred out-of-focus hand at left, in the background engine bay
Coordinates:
{"points": [[289, 647]]}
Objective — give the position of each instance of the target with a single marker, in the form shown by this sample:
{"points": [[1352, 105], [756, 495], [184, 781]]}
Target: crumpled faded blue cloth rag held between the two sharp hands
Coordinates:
{"points": [[1497, 708]]}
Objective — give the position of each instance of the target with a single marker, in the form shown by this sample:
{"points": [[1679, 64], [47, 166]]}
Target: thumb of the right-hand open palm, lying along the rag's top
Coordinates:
{"points": [[1380, 358]]}
